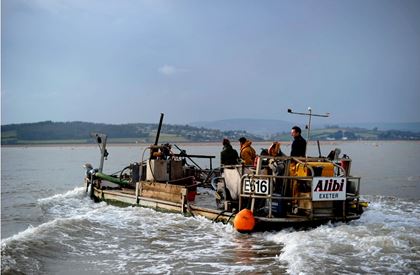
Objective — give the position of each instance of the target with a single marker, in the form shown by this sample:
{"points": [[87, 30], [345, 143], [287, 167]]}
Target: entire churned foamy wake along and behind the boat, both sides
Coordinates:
{"points": [[85, 237]]}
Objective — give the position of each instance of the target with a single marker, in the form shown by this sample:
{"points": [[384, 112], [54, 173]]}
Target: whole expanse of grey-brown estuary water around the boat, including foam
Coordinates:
{"points": [[50, 226]]}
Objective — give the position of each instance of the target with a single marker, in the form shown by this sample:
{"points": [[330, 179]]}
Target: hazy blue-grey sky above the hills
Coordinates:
{"points": [[127, 61]]}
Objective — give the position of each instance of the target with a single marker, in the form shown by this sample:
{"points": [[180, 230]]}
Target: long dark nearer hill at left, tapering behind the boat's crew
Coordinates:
{"points": [[79, 132]]}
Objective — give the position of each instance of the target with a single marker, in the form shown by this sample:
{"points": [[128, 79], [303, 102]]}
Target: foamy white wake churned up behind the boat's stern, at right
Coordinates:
{"points": [[385, 240]]}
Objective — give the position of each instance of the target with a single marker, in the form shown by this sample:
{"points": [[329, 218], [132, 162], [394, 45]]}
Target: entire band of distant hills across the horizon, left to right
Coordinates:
{"points": [[48, 132]]}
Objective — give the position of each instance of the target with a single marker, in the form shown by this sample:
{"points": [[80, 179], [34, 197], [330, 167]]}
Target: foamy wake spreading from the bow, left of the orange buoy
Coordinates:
{"points": [[96, 237]]}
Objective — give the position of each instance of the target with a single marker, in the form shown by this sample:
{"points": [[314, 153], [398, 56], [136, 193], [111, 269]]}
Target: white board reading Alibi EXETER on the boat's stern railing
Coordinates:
{"points": [[329, 189]]}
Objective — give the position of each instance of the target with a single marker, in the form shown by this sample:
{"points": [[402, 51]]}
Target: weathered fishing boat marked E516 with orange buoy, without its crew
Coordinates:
{"points": [[274, 193]]}
